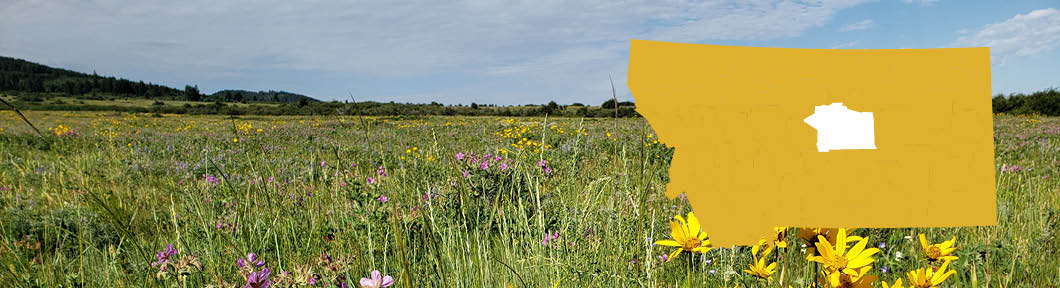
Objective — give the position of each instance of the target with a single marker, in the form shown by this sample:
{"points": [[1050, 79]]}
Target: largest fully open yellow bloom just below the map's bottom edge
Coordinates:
{"points": [[842, 261]]}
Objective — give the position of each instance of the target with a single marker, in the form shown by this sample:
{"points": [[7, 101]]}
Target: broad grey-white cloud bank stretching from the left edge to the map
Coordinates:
{"points": [[567, 46]]}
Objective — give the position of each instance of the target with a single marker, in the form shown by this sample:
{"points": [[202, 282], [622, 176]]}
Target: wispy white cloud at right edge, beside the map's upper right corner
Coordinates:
{"points": [[1023, 35]]}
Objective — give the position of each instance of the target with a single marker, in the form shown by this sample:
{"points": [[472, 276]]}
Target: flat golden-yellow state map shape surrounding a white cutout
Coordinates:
{"points": [[749, 163]]}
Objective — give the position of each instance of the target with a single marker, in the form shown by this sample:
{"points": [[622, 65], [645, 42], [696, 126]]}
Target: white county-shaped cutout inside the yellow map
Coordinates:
{"points": [[842, 129]]}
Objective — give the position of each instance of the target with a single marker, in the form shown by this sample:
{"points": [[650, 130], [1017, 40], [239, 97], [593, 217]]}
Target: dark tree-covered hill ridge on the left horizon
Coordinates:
{"points": [[27, 78]]}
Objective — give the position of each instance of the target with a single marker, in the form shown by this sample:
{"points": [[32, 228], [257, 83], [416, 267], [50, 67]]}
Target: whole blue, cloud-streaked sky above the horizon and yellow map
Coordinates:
{"points": [[491, 52]]}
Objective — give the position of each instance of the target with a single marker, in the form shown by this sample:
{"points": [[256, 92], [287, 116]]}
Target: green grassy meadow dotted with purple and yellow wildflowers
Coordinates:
{"points": [[107, 200]]}
